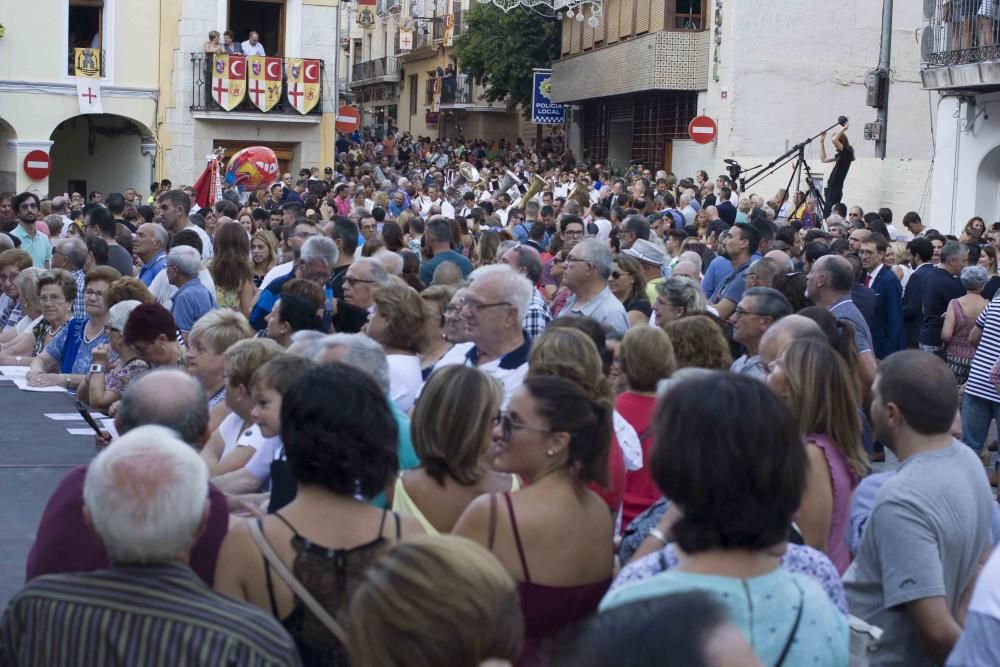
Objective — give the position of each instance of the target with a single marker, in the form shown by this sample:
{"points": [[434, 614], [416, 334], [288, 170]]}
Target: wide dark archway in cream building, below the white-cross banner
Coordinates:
{"points": [[101, 152]]}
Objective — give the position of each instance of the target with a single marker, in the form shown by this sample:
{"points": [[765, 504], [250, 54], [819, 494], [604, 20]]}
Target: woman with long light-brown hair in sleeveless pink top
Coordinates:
{"points": [[815, 383]]}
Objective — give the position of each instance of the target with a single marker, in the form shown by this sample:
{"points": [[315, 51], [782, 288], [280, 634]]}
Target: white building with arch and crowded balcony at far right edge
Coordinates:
{"points": [[960, 50]]}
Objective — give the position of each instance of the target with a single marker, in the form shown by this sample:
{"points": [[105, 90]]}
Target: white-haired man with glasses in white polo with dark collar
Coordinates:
{"points": [[493, 312]]}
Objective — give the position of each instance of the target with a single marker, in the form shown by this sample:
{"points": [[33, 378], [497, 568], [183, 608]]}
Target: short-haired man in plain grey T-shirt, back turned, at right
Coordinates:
{"points": [[930, 525]]}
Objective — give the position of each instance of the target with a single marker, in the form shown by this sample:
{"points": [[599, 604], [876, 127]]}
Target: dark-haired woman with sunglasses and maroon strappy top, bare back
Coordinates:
{"points": [[554, 536]]}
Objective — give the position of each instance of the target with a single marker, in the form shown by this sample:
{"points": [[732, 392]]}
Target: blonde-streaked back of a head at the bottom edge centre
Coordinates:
{"points": [[429, 587]]}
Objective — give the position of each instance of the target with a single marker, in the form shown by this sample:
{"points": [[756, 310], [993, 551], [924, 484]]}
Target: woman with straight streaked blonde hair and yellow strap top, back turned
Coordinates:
{"points": [[452, 429]]}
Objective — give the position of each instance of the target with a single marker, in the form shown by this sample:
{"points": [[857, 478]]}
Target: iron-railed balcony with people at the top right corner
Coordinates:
{"points": [[960, 44]]}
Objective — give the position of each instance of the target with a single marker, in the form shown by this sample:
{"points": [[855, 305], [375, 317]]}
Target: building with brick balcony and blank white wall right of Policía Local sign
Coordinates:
{"points": [[636, 81]]}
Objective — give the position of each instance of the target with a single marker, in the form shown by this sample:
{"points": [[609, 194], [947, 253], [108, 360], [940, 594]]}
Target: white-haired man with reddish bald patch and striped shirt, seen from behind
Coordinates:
{"points": [[145, 497]]}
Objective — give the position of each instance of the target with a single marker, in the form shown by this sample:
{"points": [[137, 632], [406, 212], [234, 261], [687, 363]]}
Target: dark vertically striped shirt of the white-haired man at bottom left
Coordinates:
{"points": [[137, 615]]}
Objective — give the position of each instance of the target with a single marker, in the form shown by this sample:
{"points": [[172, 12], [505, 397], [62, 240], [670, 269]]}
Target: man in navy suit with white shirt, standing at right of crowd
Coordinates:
{"points": [[887, 325]]}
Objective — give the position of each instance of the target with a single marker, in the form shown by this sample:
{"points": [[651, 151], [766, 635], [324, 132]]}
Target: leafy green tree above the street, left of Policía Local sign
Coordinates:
{"points": [[505, 48]]}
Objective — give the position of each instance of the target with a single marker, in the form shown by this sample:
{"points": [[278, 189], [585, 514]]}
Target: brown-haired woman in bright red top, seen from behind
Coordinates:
{"points": [[645, 357]]}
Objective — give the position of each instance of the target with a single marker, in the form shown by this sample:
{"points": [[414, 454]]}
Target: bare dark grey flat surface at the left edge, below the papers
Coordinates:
{"points": [[35, 453]]}
